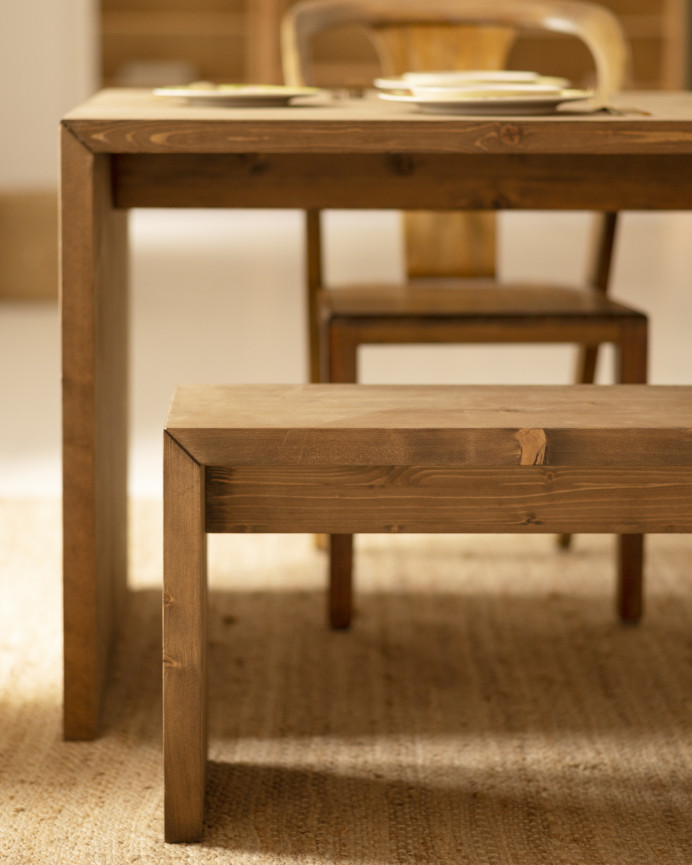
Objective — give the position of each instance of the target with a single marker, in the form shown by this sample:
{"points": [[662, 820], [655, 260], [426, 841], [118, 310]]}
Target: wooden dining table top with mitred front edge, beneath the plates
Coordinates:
{"points": [[135, 121]]}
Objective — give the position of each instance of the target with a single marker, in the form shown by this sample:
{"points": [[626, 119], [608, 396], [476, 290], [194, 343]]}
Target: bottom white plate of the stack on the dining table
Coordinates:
{"points": [[488, 102]]}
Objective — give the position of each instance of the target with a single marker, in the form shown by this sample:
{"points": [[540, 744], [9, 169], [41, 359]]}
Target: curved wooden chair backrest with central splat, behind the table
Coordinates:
{"points": [[424, 35]]}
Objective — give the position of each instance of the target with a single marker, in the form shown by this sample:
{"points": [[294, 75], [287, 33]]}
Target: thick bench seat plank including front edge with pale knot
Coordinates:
{"points": [[433, 425]]}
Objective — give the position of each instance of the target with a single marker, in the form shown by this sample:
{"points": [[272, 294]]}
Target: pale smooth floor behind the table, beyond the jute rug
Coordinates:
{"points": [[217, 297]]}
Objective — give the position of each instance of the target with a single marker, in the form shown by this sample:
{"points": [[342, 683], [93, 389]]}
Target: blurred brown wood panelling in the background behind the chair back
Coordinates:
{"points": [[171, 41]]}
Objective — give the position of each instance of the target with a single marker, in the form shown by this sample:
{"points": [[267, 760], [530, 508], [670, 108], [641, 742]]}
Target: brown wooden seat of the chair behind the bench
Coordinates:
{"points": [[449, 300]]}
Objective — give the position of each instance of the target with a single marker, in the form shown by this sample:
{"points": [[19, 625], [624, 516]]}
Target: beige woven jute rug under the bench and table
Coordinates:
{"points": [[486, 707]]}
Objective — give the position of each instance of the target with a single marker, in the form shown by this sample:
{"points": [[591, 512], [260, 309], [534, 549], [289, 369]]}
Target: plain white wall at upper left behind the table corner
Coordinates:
{"points": [[48, 64]]}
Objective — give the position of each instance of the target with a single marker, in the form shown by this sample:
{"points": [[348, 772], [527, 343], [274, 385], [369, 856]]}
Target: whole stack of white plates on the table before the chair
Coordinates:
{"points": [[481, 92]]}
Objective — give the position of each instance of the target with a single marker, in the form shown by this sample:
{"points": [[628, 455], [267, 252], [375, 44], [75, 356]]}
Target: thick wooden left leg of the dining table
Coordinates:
{"points": [[94, 312]]}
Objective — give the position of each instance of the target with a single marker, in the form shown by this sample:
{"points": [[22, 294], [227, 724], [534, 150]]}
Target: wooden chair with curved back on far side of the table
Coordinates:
{"points": [[451, 295]]}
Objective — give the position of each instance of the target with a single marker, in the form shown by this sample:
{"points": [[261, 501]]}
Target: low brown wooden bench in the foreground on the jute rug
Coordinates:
{"points": [[344, 459]]}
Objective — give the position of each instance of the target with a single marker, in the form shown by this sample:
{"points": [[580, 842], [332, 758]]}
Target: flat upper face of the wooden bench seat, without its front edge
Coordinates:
{"points": [[334, 406]]}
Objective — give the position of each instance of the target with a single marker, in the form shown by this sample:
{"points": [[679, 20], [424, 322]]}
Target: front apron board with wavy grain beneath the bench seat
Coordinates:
{"points": [[526, 498]]}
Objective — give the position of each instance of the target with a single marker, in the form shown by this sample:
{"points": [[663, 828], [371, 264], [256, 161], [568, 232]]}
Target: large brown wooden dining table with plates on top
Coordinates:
{"points": [[127, 148]]}
